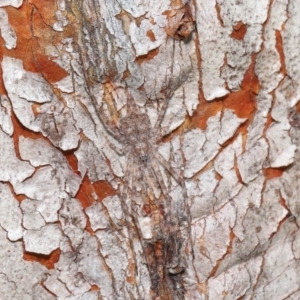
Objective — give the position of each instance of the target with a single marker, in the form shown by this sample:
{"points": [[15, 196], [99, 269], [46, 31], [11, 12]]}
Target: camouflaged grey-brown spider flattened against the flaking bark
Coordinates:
{"points": [[139, 141]]}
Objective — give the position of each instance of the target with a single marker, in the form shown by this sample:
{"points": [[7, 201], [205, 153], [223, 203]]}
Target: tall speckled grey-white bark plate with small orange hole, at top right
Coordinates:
{"points": [[216, 45]]}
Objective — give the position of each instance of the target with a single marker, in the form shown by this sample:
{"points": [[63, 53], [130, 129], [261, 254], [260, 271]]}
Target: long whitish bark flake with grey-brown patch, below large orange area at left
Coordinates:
{"points": [[24, 89]]}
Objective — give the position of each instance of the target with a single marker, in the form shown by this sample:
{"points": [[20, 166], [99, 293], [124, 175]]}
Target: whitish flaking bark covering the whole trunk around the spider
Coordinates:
{"points": [[242, 220]]}
